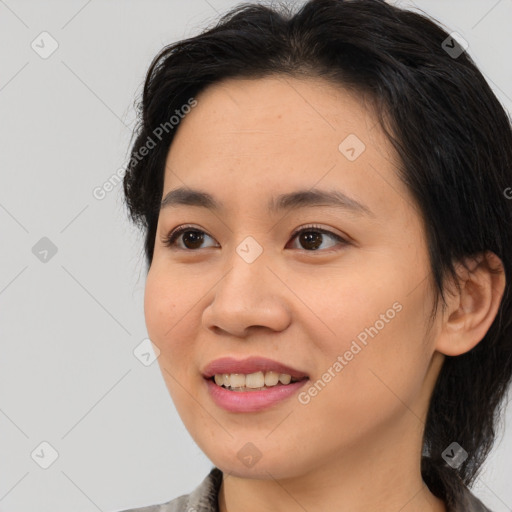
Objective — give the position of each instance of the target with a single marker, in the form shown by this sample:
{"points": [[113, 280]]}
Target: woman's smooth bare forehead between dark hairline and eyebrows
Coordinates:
{"points": [[261, 136]]}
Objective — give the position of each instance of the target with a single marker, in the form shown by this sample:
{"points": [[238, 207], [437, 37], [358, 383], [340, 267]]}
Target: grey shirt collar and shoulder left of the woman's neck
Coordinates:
{"points": [[202, 499]]}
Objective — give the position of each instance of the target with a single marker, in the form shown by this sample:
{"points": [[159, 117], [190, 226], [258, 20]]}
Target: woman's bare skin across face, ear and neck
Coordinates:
{"points": [[357, 444]]}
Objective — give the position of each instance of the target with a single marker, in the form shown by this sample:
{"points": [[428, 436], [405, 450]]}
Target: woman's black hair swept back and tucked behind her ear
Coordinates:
{"points": [[453, 138]]}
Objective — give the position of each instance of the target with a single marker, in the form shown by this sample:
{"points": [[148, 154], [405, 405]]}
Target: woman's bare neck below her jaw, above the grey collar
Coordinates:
{"points": [[363, 478]]}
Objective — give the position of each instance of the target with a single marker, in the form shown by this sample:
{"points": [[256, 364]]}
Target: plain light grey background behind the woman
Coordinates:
{"points": [[69, 326]]}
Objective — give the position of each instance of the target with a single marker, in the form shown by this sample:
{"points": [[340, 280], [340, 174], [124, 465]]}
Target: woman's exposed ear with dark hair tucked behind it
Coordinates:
{"points": [[470, 311]]}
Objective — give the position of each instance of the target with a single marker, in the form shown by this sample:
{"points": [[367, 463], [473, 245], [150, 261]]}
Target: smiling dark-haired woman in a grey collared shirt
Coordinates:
{"points": [[327, 232]]}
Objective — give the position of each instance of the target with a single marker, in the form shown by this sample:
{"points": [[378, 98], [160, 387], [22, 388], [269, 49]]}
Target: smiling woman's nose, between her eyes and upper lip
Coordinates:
{"points": [[250, 296]]}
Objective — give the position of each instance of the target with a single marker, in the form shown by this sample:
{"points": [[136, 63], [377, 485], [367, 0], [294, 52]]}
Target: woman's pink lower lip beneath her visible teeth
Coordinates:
{"points": [[251, 401]]}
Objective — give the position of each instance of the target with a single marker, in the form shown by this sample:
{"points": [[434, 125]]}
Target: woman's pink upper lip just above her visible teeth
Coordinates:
{"points": [[249, 365]]}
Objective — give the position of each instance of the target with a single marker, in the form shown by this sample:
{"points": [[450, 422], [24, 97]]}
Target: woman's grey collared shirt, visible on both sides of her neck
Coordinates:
{"points": [[204, 498]]}
